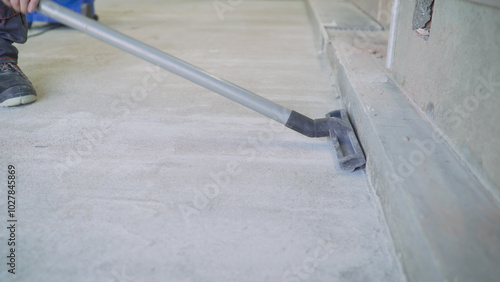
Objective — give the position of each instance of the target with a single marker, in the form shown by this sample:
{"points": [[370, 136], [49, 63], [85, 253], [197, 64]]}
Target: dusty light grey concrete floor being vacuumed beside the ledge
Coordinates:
{"points": [[129, 173]]}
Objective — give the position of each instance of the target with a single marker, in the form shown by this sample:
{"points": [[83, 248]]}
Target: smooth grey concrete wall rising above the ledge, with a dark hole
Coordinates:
{"points": [[454, 77]]}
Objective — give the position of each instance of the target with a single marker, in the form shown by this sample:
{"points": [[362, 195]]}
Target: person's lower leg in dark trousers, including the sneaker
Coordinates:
{"points": [[15, 88]]}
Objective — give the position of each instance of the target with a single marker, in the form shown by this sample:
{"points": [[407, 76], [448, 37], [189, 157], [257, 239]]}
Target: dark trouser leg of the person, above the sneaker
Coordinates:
{"points": [[13, 28]]}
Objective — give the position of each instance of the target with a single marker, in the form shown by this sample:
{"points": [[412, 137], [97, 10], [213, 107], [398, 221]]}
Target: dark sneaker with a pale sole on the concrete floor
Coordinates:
{"points": [[15, 88]]}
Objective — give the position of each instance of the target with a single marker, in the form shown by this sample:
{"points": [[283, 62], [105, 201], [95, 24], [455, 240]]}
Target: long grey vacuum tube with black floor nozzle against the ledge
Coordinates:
{"points": [[336, 125]]}
